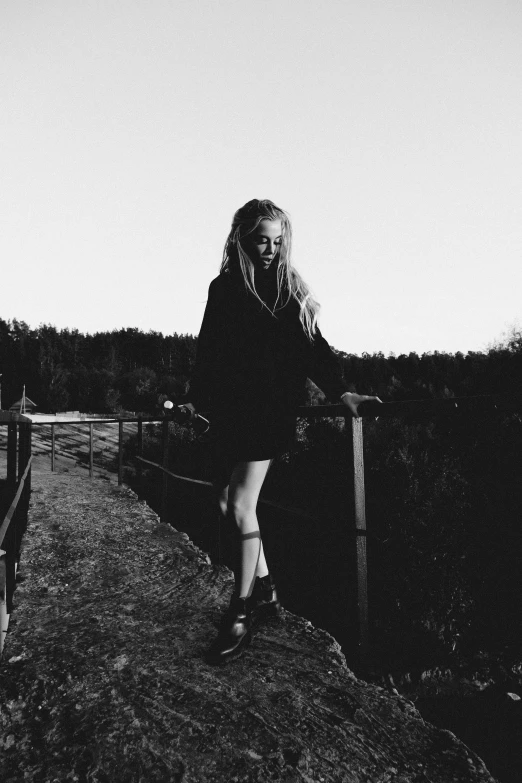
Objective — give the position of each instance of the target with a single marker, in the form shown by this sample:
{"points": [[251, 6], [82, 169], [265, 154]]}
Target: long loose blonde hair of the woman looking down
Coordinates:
{"points": [[290, 284]]}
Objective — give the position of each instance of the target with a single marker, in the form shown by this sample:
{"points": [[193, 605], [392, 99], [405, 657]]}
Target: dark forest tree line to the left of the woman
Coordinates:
{"points": [[106, 372]]}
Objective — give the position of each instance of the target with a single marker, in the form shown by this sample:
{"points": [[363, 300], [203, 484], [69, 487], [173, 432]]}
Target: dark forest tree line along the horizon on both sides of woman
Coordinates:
{"points": [[131, 370]]}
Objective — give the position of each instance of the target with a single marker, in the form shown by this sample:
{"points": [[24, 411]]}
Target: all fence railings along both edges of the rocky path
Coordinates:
{"points": [[355, 505]]}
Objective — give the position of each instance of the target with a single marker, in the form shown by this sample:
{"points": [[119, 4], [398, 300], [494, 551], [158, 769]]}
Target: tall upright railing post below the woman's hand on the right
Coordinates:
{"points": [[360, 534]]}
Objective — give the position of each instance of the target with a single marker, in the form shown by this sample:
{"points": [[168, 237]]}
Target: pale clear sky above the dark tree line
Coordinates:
{"points": [[390, 130]]}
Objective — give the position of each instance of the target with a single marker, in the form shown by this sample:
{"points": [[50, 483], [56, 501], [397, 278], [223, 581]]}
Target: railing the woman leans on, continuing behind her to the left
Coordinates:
{"points": [[355, 509]]}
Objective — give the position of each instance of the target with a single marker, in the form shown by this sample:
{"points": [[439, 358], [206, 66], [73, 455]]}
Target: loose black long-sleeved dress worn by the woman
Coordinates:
{"points": [[251, 370]]}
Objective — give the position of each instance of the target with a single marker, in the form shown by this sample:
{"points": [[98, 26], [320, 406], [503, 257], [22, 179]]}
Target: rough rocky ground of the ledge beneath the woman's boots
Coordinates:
{"points": [[103, 676]]}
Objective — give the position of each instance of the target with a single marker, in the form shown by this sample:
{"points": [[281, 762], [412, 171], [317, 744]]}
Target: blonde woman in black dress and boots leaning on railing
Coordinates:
{"points": [[258, 343]]}
